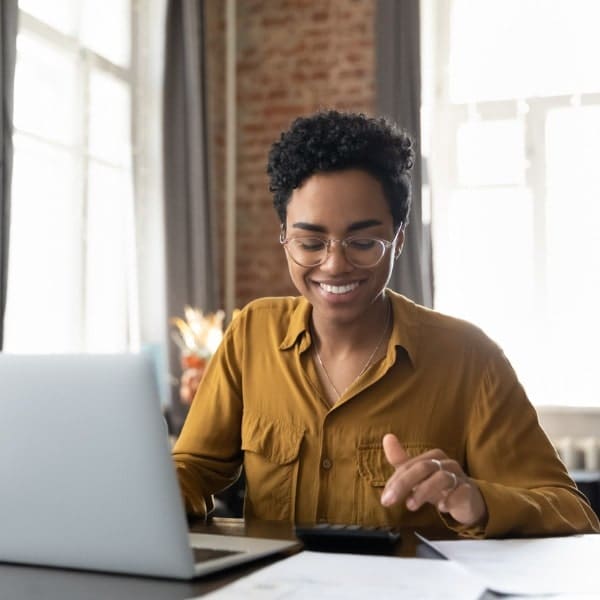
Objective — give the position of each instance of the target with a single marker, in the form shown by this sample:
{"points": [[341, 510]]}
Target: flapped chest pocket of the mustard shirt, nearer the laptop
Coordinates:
{"points": [[271, 456]]}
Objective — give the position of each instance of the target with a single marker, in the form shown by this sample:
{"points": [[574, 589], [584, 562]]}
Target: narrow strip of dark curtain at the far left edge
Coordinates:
{"points": [[8, 51]]}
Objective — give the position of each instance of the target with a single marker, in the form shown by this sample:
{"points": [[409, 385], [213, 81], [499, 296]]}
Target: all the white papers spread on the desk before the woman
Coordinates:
{"points": [[551, 568]]}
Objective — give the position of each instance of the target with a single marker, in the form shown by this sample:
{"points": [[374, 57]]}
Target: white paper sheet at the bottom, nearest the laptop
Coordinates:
{"points": [[328, 576]]}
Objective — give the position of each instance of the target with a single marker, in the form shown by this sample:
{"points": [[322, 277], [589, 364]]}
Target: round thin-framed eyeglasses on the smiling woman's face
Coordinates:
{"points": [[361, 252]]}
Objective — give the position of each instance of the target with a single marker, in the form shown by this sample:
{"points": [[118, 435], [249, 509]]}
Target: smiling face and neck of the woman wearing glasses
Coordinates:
{"points": [[347, 203]]}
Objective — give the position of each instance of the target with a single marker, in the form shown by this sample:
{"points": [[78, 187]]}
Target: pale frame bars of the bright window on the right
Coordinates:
{"points": [[445, 118]]}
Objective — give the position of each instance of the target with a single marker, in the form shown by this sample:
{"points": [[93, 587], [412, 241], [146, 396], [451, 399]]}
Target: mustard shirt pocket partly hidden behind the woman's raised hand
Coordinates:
{"points": [[373, 473]]}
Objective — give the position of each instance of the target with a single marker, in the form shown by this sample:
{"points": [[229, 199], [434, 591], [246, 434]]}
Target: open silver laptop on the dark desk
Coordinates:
{"points": [[86, 476]]}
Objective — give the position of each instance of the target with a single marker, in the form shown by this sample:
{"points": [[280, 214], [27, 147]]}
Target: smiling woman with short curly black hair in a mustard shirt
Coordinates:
{"points": [[349, 403]]}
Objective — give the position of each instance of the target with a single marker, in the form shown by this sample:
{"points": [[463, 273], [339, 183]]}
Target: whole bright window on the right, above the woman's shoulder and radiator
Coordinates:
{"points": [[514, 122]]}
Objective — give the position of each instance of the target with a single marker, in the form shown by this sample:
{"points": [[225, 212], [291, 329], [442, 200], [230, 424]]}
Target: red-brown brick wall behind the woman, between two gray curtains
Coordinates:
{"points": [[293, 57]]}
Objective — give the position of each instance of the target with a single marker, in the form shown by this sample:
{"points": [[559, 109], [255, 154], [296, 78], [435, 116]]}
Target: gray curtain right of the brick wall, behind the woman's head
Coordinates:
{"points": [[398, 85]]}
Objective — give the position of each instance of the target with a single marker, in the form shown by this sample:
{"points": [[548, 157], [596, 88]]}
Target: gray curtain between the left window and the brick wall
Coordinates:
{"points": [[189, 214]]}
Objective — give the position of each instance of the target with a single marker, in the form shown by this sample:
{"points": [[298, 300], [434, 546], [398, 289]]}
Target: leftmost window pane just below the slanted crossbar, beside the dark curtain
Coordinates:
{"points": [[46, 82]]}
